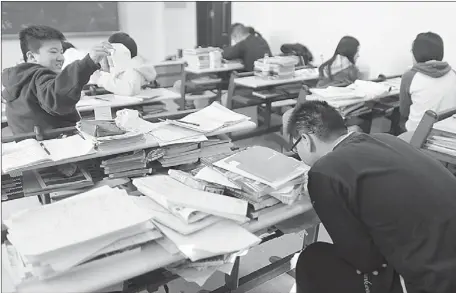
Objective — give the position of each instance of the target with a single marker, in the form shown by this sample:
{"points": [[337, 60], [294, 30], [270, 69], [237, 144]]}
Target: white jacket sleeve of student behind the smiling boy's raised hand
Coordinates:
{"points": [[126, 83]]}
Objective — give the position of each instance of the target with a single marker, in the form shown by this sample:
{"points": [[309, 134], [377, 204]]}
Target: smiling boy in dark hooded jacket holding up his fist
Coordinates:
{"points": [[38, 92]]}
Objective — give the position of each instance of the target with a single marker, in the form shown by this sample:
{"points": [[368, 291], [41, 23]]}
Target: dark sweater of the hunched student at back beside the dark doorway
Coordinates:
{"points": [[248, 50]]}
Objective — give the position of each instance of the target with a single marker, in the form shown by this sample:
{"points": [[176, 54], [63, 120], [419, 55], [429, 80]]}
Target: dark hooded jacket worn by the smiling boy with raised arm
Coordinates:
{"points": [[38, 96]]}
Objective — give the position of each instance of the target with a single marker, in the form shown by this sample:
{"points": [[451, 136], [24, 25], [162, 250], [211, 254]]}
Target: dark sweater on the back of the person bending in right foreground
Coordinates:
{"points": [[384, 201]]}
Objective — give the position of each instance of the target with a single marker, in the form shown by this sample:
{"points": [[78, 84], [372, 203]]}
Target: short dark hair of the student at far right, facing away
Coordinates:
{"points": [[427, 46]]}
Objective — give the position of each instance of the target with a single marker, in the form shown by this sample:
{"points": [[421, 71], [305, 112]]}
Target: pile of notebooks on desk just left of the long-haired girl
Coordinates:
{"points": [[278, 67]]}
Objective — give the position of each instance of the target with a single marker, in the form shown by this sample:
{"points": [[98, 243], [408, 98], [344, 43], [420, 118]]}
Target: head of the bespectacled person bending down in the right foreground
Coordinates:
{"points": [[315, 126]]}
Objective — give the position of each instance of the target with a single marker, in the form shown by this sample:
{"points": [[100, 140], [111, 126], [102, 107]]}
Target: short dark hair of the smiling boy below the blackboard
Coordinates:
{"points": [[31, 38]]}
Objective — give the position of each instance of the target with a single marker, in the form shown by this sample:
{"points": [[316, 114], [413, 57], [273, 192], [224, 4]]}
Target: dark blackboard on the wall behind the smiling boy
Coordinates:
{"points": [[68, 17]]}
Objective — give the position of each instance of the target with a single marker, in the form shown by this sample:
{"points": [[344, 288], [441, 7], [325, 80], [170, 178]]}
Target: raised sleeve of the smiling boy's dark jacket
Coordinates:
{"points": [[59, 94]]}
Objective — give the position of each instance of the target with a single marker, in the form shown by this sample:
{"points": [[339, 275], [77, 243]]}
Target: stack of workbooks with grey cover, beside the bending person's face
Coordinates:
{"points": [[257, 174]]}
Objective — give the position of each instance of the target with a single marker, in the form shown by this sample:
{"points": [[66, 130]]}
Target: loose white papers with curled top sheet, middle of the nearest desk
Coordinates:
{"points": [[199, 224]]}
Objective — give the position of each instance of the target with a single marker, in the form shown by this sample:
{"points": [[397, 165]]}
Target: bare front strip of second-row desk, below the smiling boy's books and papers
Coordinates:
{"points": [[149, 142]]}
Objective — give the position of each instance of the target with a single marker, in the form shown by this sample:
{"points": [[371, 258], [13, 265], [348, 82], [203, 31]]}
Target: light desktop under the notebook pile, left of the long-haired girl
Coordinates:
{"points": [[258, 82]]}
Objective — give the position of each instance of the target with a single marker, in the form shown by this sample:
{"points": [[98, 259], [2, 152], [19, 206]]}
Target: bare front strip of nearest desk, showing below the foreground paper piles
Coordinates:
{"points": [[113, 270]]}
